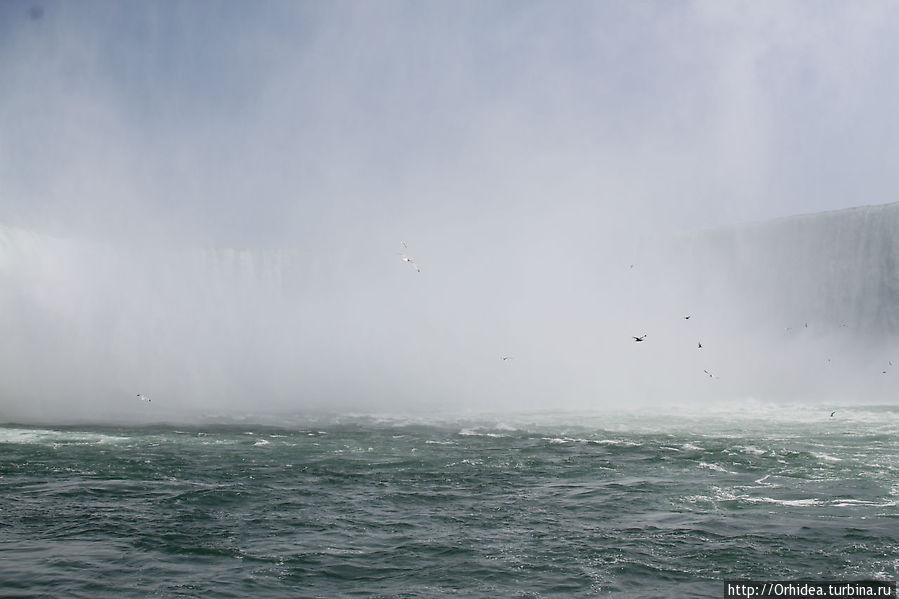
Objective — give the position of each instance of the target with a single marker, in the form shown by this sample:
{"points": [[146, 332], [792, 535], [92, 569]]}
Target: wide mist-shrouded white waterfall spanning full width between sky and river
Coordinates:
{"points": [[88, 324]]}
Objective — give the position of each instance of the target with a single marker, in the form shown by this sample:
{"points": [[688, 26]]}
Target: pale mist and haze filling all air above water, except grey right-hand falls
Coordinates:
{"points": [[206, 202]]}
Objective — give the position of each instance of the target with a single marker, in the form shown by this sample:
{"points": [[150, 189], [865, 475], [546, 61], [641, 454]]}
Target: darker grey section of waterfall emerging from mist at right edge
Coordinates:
{"points": [[834, 270]]}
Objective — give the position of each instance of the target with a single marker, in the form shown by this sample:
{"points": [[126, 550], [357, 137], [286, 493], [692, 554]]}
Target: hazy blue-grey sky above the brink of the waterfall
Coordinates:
{"points": [[282, 124]]}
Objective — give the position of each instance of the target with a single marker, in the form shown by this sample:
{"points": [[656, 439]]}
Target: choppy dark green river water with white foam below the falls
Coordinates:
{"points": [[529, 506]]}
